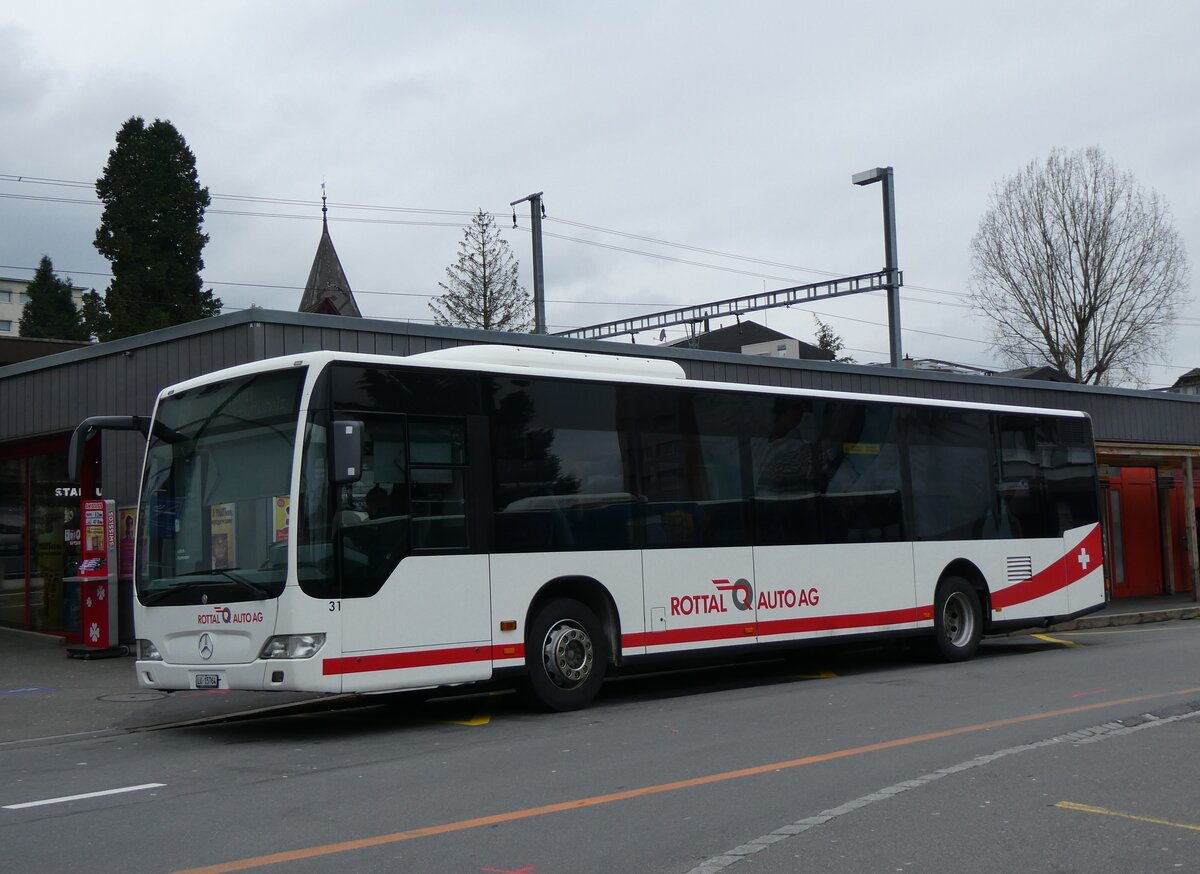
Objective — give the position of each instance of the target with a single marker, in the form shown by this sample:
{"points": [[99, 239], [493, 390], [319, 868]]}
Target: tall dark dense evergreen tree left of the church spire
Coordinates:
{"points": [[151, 231]]}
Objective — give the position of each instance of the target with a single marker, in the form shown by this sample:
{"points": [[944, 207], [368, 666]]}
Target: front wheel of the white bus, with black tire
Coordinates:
{"points": [[567, 655]]}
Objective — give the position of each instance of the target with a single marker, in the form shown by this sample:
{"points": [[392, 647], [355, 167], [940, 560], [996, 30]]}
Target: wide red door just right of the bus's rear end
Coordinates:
{"points": [[1139, 531]]}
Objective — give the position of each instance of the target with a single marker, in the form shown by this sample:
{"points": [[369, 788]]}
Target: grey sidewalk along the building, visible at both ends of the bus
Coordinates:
{"points": [[46, 695]]}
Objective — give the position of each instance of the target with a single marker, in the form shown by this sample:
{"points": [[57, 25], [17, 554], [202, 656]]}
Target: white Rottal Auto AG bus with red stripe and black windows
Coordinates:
{"points": [[344, 523]]}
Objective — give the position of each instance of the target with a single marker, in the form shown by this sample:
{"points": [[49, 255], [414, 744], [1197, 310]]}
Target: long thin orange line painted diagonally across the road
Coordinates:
{"points": [[644, 792]]}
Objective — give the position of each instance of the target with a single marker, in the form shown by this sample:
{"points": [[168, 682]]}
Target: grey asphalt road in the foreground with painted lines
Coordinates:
{"points": [[1064, 753]]}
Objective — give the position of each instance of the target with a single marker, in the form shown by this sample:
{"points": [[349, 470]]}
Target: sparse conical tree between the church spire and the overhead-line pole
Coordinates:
{"points": [[482, 289]]}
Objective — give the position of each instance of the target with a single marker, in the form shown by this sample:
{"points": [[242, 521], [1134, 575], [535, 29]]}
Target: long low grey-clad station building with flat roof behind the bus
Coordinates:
{"points": [[1149, 442]]}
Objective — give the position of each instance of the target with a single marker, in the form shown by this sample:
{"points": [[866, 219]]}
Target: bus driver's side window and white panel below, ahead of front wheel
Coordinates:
{"points": [[415, 592]]}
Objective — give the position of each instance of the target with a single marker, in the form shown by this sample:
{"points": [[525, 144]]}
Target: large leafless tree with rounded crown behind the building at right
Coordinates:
{"points": [[1079, 268]]}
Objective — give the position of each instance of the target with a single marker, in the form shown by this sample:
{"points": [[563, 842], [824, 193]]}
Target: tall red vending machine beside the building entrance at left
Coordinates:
{"points": [[98, 582]]}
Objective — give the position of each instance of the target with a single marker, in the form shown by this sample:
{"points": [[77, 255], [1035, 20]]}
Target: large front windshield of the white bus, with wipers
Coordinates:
{"points": [[213, 518]]}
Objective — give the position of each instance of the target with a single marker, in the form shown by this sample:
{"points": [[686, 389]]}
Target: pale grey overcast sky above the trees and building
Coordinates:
{"points": [[733, 128]]}
